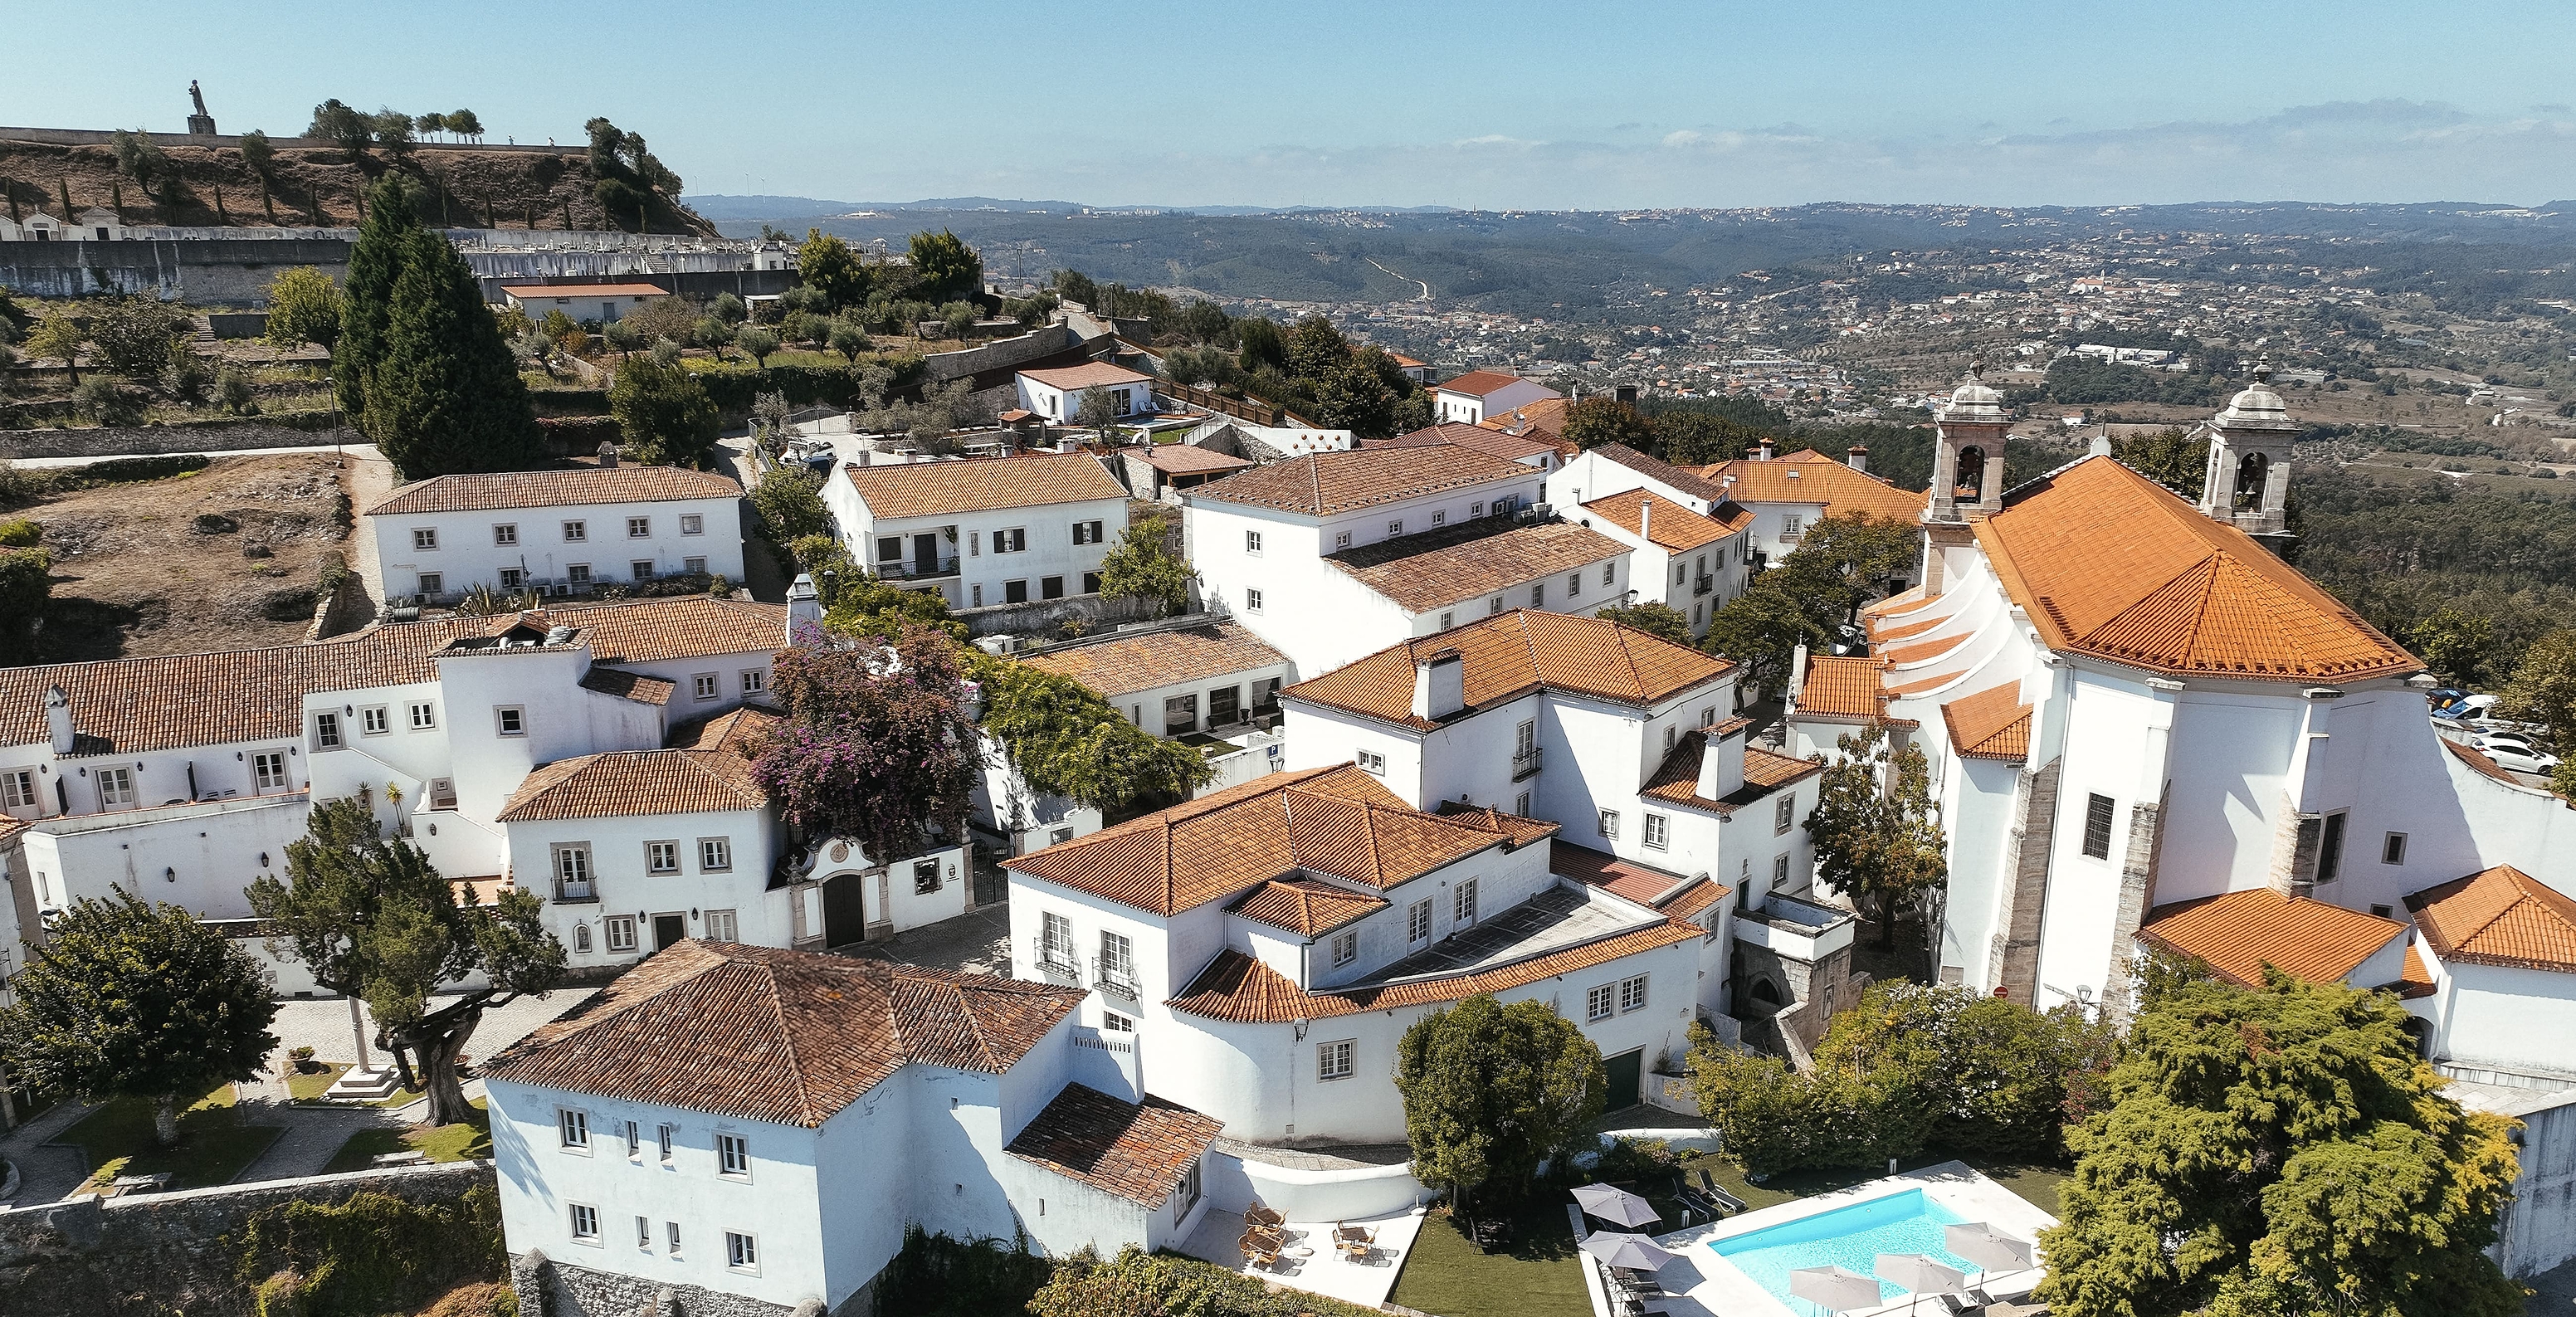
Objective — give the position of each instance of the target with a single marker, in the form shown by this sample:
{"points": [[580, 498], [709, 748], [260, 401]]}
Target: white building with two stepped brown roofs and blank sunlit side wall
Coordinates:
{"points": [[1338, 555]]}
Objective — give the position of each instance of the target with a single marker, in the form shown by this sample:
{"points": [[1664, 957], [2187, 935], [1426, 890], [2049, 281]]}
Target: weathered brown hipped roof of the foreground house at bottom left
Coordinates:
{"points": [[774, 1035]]}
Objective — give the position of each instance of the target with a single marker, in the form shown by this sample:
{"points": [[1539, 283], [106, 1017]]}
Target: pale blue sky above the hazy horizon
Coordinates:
{"points": [[1501, 104]]}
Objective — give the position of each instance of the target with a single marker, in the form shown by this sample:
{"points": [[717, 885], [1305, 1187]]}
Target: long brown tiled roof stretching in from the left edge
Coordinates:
{"points": [[174, 702]]}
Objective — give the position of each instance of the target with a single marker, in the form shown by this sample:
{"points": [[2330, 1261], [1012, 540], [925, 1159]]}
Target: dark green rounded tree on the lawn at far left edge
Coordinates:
{"points": [[138, 1001]]}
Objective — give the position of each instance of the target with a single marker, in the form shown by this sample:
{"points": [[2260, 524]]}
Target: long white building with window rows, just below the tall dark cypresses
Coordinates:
{"points": [[571, 530]]}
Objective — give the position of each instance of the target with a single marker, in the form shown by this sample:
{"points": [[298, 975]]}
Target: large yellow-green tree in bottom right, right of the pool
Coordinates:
{"points": [[2281, 1151]]}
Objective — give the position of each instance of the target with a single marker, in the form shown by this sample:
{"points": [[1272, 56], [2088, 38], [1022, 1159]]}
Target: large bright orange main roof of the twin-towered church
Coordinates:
{"points": [[2116, 566]]}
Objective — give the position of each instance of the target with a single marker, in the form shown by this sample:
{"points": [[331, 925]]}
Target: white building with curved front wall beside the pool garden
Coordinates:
{"points": [[1269, 945]]}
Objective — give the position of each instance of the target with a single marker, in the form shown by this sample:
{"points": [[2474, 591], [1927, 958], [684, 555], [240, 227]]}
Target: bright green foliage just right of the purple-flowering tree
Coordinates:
{"points": [[1073, 744]]}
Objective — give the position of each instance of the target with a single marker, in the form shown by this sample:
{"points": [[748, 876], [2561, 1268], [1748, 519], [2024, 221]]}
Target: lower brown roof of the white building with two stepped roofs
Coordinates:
{"points": [[1477, 558]]}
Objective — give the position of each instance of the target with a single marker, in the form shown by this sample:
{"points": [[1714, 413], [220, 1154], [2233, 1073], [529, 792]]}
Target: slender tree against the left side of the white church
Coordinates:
{"points": [[1877, 829]]}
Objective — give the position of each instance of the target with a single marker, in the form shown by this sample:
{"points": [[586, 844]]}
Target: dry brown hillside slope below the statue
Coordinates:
{"points": [[462, 189]]}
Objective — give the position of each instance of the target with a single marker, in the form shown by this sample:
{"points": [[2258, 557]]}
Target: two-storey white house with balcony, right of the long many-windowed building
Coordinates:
{"points": [[983, 532]]}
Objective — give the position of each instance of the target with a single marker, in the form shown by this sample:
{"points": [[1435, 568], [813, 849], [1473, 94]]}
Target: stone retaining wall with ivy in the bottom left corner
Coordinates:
{"points": [[176, 1254]]}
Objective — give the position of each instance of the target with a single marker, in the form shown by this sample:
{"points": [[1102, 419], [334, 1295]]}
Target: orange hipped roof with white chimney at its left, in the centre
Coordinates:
{"points": [[1519, 653]]}
